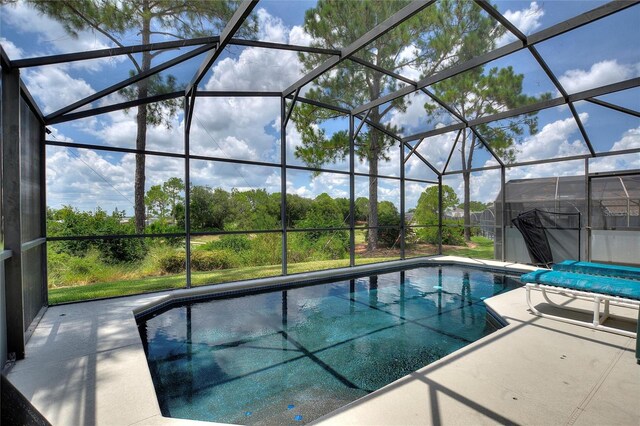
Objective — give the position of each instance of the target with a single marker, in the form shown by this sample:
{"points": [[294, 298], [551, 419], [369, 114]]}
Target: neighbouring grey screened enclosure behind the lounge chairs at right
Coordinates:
{"points": [[602, 227]]}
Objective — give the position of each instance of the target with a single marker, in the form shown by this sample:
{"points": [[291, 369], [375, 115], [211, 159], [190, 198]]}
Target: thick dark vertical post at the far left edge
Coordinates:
{"points": [[11, 181]]}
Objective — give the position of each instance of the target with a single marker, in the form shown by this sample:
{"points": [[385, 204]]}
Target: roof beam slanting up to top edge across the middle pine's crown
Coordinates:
{"points": [[378, 31]]}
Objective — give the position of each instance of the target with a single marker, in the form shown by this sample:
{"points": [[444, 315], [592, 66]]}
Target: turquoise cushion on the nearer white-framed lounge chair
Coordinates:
{"points": [[629, 289]]}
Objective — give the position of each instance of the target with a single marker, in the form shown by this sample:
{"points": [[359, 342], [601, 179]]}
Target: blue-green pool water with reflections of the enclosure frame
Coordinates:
{"points": [[291, 356]]}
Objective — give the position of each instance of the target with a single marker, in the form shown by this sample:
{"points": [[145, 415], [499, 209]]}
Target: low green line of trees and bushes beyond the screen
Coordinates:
{"points": [[217, 210]]}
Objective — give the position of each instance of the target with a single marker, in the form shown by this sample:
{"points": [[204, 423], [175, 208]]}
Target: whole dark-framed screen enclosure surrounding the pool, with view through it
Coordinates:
{"points": [[149, 145]]}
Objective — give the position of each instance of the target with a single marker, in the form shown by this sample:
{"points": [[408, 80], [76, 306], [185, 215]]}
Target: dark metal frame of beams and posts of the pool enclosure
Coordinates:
{"points": [[13, 90]]}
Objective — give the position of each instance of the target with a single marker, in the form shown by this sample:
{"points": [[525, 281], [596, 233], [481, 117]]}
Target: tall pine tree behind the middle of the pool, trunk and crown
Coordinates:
{"points": [[444, 33]]}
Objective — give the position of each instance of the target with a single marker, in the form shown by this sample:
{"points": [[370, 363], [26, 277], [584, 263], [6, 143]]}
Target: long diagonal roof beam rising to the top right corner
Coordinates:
{"points": [[558, 29]]}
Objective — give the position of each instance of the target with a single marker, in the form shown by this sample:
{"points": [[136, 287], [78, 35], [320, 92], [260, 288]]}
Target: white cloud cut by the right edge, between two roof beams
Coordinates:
{"points": [[600, 74]]}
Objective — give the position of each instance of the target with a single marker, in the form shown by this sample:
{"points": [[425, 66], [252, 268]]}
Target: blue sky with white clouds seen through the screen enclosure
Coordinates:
{"points": [[248, 128]]}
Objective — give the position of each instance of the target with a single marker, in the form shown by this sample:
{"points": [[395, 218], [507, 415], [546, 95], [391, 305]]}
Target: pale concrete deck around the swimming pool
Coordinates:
{"points": [[85, 365]]}
